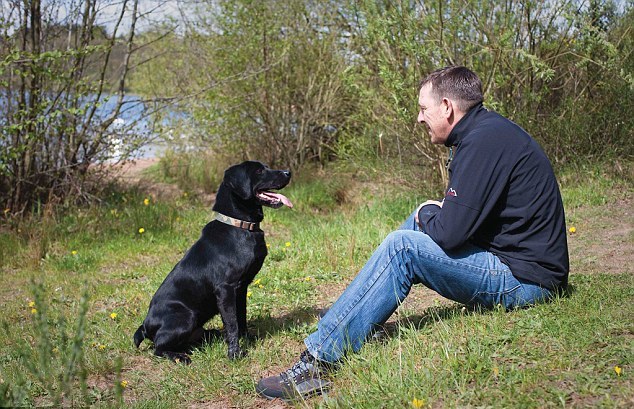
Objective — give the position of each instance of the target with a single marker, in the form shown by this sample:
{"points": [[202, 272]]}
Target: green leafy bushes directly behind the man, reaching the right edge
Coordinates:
{"points": [[563, 73]]}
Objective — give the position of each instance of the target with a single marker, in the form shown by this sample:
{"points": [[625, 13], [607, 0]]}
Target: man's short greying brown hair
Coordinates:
{"points": [[457, 83]]}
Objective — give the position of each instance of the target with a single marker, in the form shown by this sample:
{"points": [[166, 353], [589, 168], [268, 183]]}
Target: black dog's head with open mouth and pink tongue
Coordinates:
{"points": [[252, 180]]}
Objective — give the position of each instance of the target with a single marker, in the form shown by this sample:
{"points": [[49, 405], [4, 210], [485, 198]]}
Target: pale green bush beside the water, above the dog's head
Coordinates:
{"points": [[272, 80]]}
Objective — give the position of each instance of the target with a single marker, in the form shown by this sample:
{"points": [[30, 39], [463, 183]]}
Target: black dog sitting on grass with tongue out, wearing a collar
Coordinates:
{"points": [[213, 276]]}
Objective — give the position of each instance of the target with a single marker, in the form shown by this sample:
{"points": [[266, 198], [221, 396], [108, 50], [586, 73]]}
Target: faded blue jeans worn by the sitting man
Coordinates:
{"points": [[406, 257]]}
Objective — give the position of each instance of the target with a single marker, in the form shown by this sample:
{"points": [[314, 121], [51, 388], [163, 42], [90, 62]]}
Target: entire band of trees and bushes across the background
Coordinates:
{"points": [[297, 82]]}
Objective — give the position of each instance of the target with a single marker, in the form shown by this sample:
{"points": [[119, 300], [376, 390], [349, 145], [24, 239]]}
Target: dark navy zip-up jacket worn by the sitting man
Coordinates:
{"points": [[503, 197]]}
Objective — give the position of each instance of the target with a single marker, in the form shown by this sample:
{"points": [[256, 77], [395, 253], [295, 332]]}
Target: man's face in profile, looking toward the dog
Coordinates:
{"points": [[435, 115]]}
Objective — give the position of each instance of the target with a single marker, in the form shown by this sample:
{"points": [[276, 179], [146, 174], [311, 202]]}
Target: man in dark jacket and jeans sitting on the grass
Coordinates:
{"points": [[498, 237]]}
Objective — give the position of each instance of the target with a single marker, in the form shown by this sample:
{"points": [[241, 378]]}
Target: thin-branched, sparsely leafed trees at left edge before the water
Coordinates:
{"points": [[57, 102]]}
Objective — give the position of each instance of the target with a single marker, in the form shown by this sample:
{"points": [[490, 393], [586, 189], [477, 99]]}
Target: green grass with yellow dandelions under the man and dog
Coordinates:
{"points": [[80, 267]]}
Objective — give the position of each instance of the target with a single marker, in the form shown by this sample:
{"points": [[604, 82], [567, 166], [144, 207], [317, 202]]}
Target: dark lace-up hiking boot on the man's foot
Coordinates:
{"points": [[304, 379]]}
